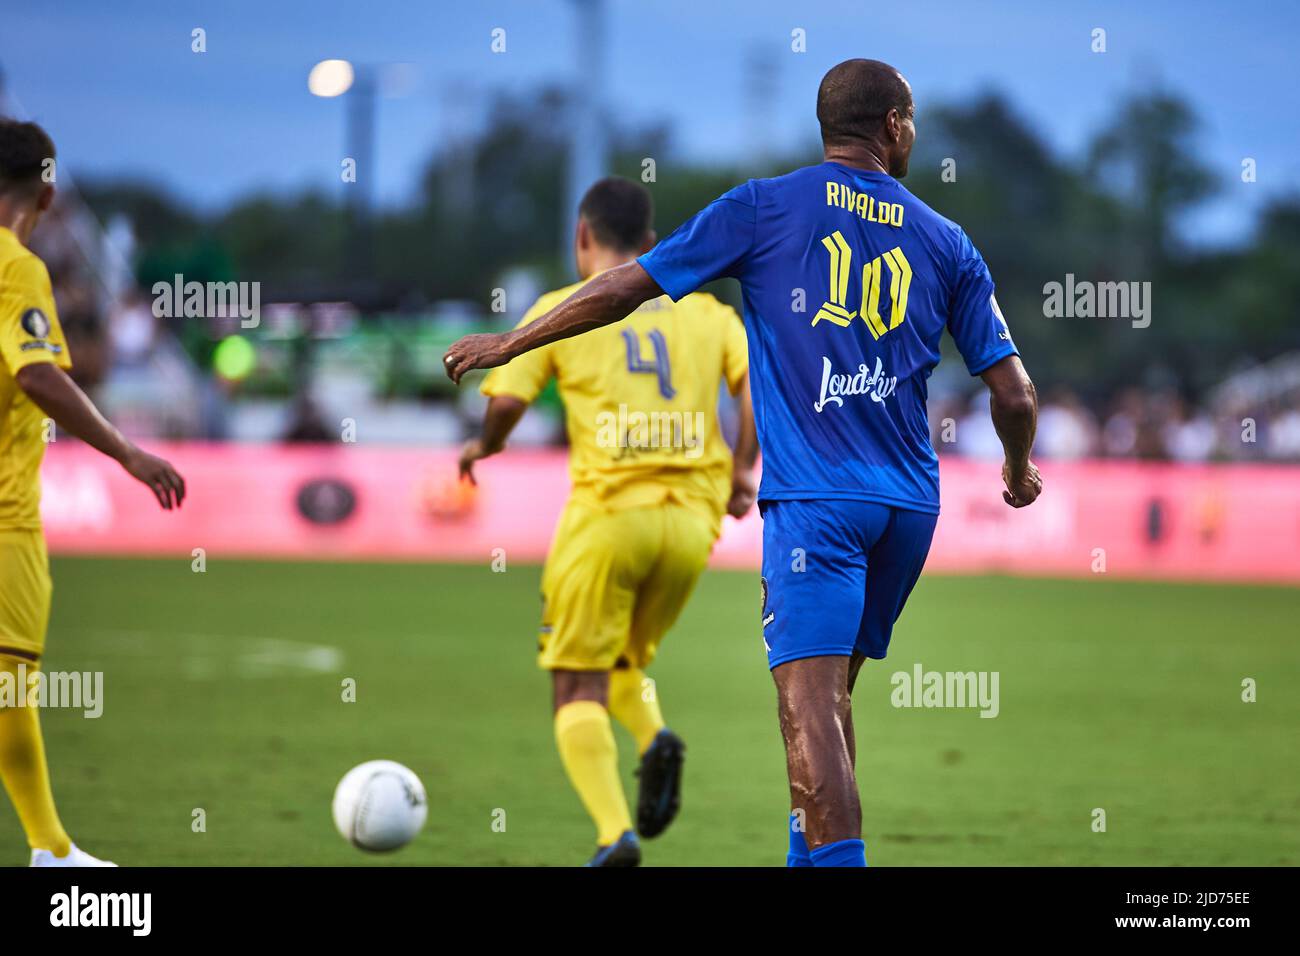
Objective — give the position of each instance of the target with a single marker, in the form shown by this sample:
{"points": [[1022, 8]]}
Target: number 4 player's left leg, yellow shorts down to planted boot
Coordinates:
{"points": [[588, 590]]}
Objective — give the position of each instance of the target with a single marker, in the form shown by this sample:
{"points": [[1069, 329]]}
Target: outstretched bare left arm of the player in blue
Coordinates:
{"points": [[608, 299]]}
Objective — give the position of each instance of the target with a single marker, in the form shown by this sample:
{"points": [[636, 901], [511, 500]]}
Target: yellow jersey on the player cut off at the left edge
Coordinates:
{"points": [[29, 334]]}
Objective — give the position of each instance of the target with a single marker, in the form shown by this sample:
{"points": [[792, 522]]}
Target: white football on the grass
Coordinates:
{"points": [[380, 806]]}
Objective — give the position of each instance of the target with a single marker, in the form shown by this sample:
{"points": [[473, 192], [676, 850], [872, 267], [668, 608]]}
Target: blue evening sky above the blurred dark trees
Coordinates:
{"points": [[123, 94]]}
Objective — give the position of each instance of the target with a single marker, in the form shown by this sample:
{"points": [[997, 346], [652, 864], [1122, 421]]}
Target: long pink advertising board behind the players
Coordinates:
{"points": [[365, 503]]}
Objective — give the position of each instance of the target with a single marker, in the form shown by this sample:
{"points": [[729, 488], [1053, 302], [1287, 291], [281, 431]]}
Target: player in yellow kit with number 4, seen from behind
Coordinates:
{"points": [[653, 477]]}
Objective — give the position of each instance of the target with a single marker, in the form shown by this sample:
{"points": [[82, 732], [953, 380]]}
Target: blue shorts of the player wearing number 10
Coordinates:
{"points": [[837, 576]]}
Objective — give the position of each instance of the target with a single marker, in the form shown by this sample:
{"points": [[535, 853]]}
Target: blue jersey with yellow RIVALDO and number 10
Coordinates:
{"points": [[850, 282]]}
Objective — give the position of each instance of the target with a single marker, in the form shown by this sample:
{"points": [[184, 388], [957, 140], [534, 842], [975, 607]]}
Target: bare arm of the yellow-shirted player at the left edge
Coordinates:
{"points": [[62, 400]]}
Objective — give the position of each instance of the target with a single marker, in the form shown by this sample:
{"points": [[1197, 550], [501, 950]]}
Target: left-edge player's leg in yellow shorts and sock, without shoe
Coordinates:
{"points": [[25, 592]]}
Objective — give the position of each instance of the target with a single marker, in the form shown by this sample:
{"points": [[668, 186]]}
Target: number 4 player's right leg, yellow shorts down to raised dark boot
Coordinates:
{"points": [[687, 540]]}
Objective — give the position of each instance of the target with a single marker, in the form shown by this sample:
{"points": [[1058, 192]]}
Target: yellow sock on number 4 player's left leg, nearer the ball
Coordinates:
{"points": [[586, 741]]}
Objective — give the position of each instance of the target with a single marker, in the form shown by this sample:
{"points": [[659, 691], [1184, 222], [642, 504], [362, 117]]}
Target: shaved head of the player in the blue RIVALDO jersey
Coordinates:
{"points": [[868, 103]]}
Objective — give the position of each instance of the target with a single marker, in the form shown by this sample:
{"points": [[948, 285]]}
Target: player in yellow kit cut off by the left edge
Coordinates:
{"points": [[34, 387]]}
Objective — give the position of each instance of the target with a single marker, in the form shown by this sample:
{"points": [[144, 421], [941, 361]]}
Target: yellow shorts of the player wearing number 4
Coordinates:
{"points": [[616, 582]]}
